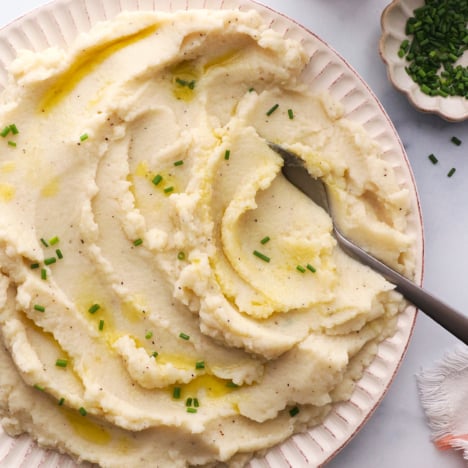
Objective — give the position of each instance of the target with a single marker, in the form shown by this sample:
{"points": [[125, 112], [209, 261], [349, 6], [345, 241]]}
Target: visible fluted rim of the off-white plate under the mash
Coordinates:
{"points": [[60, 21]]}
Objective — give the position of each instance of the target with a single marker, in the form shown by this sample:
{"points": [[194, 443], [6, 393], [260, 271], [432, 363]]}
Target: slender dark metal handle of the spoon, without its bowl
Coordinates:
{"points": [[451, 319]]}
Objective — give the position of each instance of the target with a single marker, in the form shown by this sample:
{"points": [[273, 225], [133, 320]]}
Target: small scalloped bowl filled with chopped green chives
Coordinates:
{"points": [[424, 46]]}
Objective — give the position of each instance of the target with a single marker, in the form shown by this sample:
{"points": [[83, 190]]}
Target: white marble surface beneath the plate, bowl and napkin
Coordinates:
{"points": [[397, 434]]}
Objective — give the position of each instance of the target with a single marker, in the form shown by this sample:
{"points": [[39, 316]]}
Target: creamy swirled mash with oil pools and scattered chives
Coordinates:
{"points": [[167, 297]]}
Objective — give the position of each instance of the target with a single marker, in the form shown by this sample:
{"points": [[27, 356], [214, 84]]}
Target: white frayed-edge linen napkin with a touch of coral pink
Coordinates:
{"points": [[444, 397]]}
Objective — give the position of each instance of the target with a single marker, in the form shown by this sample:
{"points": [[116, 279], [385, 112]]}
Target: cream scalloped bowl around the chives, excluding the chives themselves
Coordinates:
{"points": [[393, 21]]}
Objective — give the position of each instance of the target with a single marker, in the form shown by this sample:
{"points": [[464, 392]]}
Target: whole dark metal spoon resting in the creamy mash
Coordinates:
{"points": [[449, 318]]}
